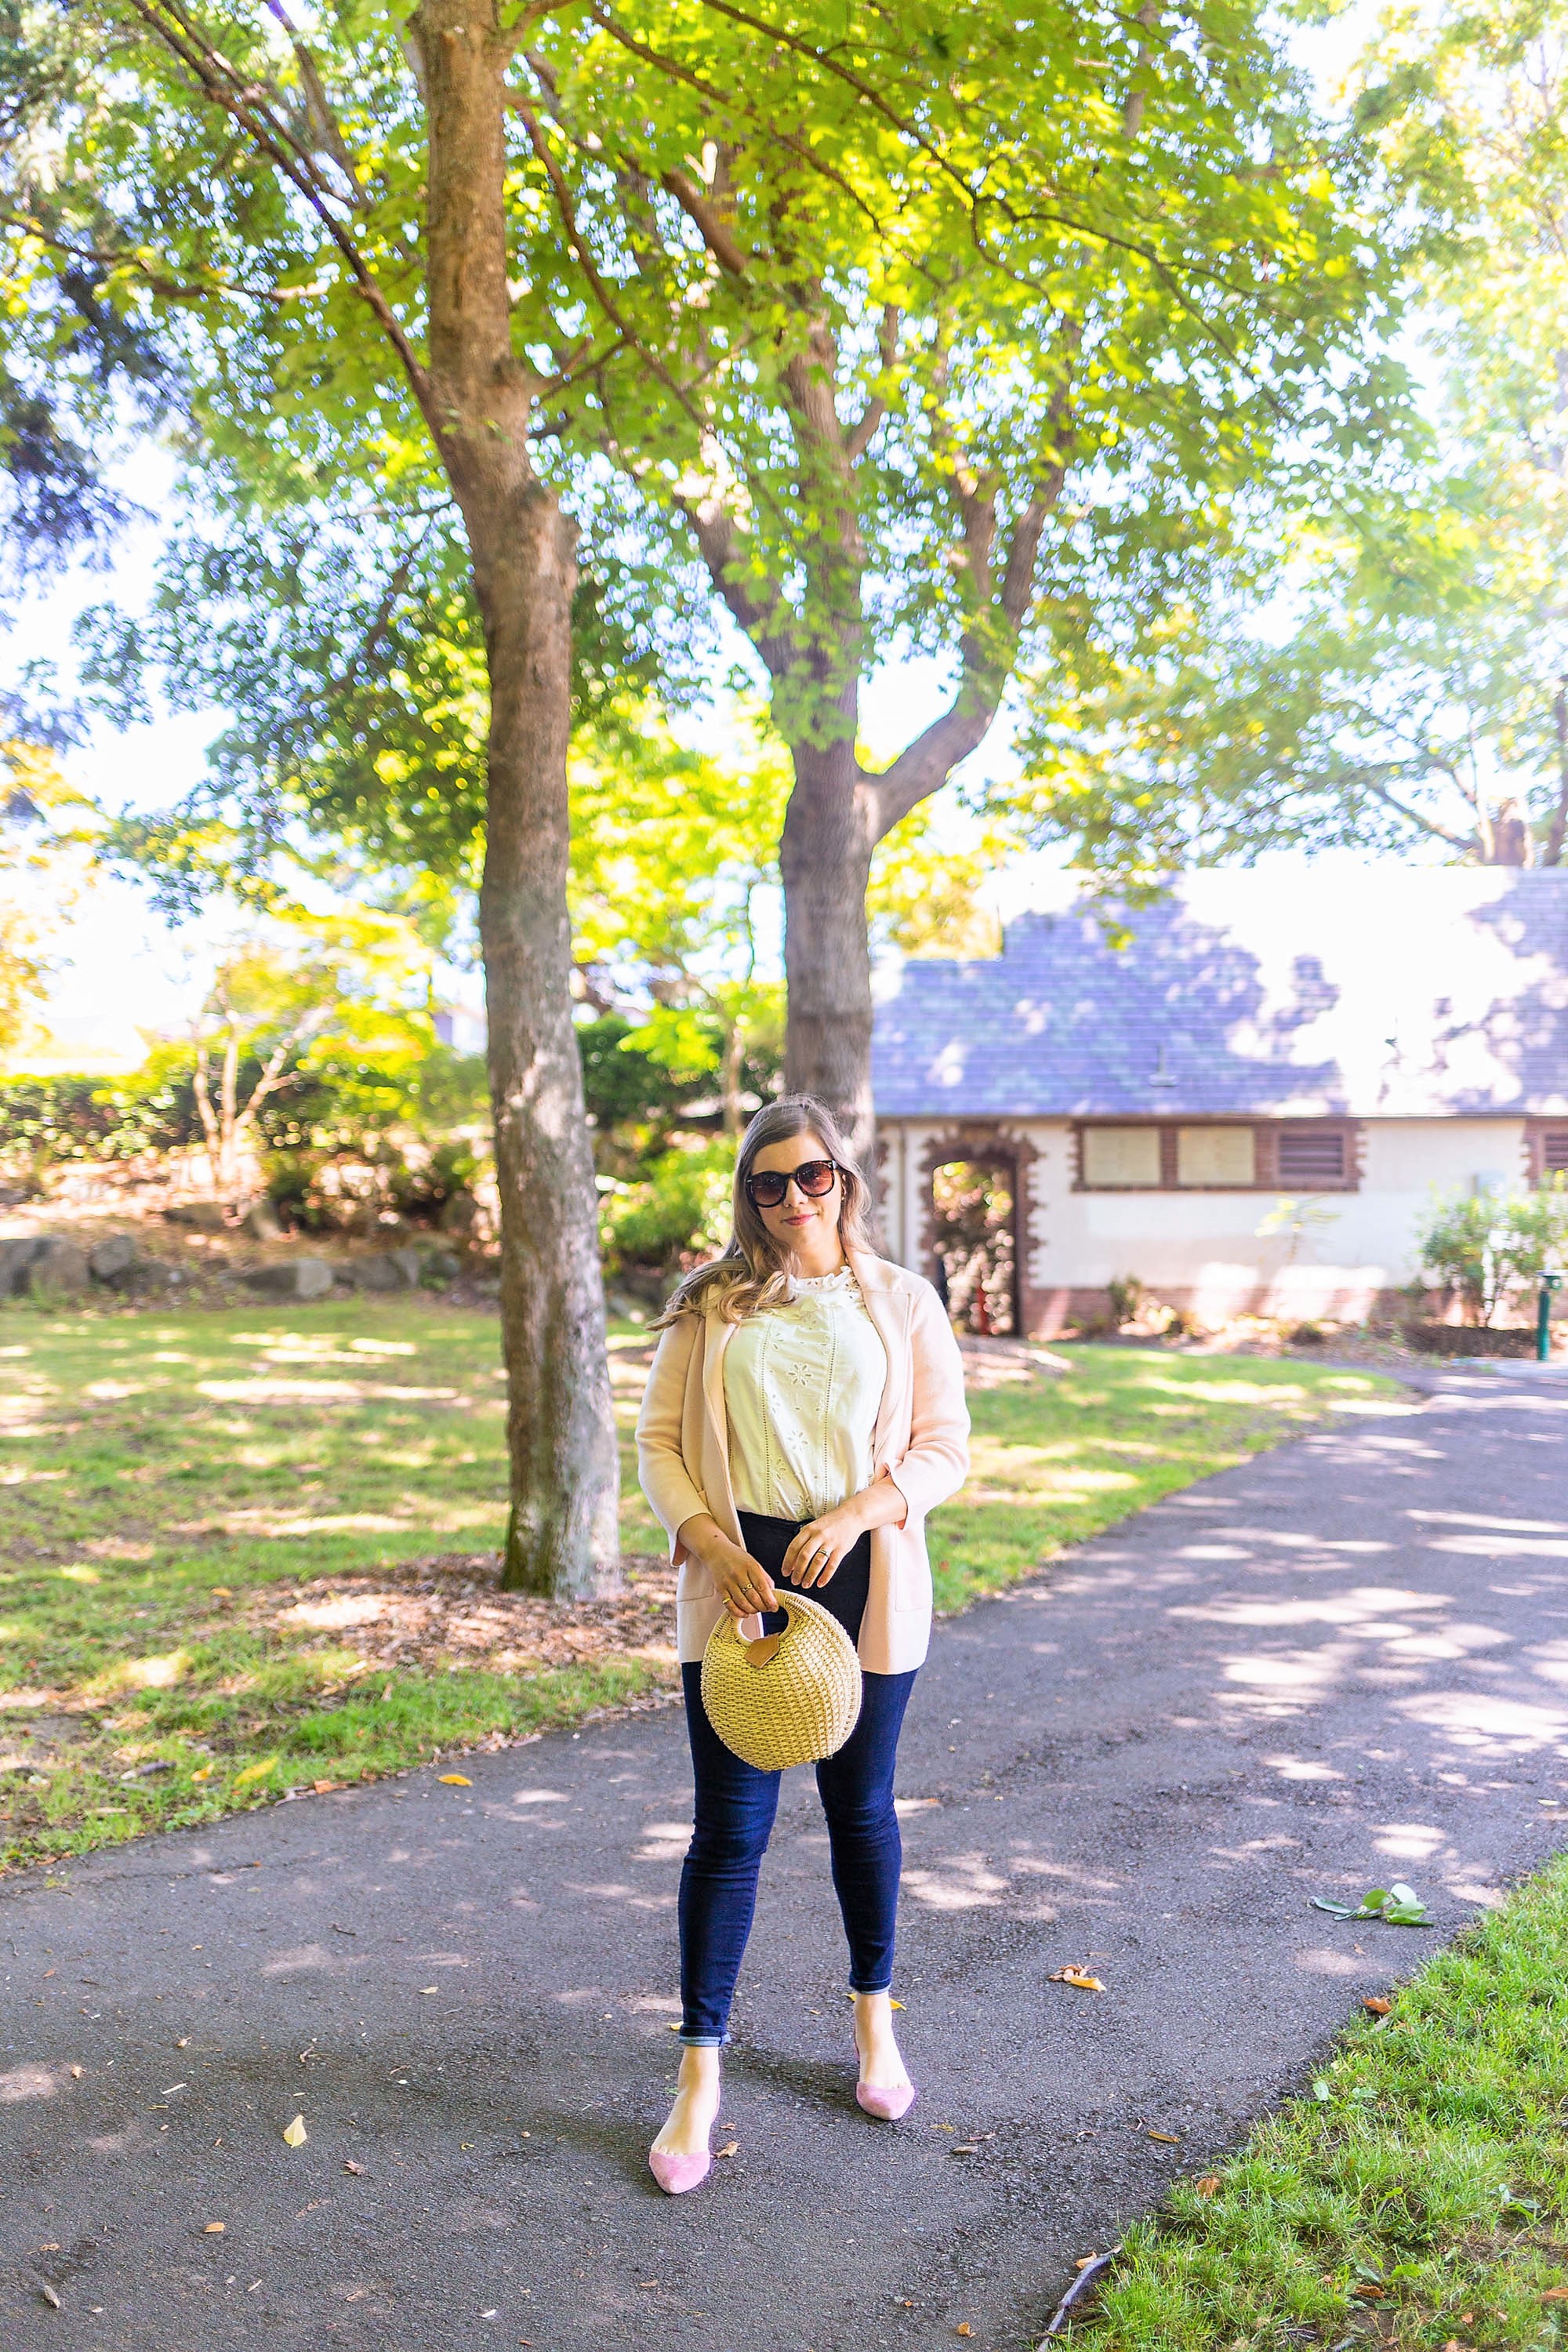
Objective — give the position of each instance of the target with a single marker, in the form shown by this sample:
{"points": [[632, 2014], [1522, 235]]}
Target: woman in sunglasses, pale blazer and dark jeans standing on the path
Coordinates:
{"points": [[803, 1417]]}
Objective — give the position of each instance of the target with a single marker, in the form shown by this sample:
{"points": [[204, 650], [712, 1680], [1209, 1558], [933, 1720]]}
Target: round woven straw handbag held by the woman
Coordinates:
{"points": [[789, 1699]]}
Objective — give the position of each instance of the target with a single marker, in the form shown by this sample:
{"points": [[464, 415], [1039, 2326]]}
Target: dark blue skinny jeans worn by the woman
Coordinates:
{"points": [[737, 1805]]}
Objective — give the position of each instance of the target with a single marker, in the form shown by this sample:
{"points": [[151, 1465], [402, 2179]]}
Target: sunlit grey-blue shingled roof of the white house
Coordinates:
{"points": [[1296, 994]]}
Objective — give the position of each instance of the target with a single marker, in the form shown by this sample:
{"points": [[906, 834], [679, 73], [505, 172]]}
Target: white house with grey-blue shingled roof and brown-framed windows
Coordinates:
{"points": [[1249, 1104]]}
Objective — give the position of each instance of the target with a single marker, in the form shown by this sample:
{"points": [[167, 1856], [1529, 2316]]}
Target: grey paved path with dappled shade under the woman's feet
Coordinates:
{"points": [[1341, 1664]]}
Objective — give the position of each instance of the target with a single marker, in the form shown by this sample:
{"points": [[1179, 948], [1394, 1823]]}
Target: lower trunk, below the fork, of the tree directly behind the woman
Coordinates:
{"points": [[826, 862]]}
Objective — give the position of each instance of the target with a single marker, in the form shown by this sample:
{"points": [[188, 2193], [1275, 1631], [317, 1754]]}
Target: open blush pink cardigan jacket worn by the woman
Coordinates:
{"points": [[920, 1443]]}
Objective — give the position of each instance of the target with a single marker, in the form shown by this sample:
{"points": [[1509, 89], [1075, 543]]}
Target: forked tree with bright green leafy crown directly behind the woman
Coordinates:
{"points": [[1000, 368]]}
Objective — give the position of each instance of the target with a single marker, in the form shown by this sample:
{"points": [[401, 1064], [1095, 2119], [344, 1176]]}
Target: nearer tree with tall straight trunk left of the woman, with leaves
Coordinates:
{"points": [[363, 253]]}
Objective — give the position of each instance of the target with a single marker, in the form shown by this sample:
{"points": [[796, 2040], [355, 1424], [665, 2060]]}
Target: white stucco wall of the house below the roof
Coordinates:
{"points": [[1207, 1245]]}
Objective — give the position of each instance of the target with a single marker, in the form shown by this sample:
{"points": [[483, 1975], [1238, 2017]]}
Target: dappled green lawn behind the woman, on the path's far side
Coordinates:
{"points": [[168, 1481]]}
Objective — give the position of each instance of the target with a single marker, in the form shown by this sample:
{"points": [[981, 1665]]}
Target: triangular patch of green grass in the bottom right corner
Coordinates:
{"points": [[1416, 2198]]}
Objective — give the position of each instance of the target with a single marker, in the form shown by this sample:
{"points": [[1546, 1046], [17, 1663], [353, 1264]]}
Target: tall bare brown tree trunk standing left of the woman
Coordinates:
{"points": [[561, 1419]]}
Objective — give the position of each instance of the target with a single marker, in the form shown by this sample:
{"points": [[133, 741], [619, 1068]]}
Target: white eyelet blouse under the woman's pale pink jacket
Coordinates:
{"points": [[803, 1387]]}
